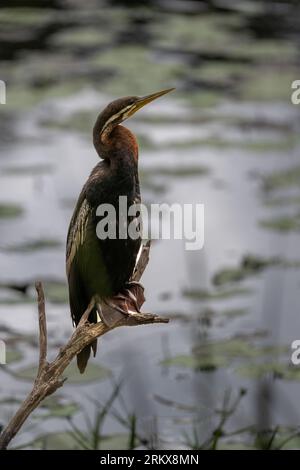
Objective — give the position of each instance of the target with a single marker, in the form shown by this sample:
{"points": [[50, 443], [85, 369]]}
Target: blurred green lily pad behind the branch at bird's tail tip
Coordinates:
{"points": [[93, 373]]}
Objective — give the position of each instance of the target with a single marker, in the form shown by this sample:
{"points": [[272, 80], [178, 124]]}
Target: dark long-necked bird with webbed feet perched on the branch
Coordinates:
{"points": [[98, 267]]}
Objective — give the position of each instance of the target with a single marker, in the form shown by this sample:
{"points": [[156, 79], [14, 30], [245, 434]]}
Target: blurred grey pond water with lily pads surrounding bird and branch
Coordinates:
{"points": [[220, 374]]}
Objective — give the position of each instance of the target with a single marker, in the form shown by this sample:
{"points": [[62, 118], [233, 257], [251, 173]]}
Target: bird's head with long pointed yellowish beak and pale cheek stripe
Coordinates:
{"points": [[117, 112]]}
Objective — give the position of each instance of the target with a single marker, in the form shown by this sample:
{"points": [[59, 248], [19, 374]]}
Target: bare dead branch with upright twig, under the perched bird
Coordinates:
{"points": [[49, 376]]}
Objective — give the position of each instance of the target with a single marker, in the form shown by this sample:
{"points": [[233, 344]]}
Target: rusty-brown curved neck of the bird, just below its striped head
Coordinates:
{"points": [[119, 146]]}
